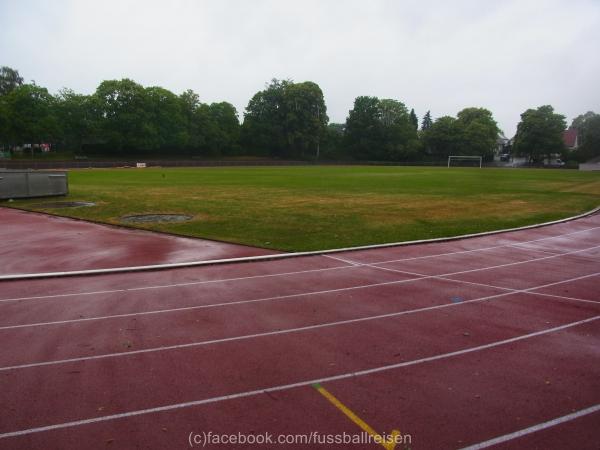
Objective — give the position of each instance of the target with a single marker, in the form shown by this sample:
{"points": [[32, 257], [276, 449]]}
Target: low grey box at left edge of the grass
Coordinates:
{"points": [[32, 183]]}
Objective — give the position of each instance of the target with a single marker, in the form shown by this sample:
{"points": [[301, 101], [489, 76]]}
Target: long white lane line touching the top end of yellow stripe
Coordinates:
{"points": [[292, 385]]}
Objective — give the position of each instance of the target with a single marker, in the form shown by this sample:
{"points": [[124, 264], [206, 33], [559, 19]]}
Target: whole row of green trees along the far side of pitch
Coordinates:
{"points": [[284, 120]]}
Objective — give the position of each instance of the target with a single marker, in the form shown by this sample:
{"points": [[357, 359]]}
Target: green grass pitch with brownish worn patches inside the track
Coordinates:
{"points": [[321, 207]]}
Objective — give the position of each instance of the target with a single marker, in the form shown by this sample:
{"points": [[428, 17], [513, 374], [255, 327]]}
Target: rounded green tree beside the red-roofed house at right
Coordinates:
{"points": [[539, 133]]}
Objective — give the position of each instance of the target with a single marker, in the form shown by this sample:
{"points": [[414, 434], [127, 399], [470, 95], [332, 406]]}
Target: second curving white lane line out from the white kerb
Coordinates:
{"points": [[188, 308]]}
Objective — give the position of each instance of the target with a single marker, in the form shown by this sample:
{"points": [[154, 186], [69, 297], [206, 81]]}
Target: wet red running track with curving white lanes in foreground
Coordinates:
{"points": [[488, 342]]}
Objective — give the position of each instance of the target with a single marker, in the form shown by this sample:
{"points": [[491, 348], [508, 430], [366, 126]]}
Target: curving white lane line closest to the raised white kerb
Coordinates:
{"points": [[353, 264]]}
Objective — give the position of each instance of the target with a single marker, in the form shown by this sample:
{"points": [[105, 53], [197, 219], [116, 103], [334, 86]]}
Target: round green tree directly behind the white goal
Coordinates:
{"points": [[479, 132]]}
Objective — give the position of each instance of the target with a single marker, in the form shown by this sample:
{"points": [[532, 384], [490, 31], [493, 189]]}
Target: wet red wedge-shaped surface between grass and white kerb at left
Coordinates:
{"points": [[35, 243]]}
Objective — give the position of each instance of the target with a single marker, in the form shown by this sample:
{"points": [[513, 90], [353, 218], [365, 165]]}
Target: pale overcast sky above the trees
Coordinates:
{"points": [[433, 55]]}
